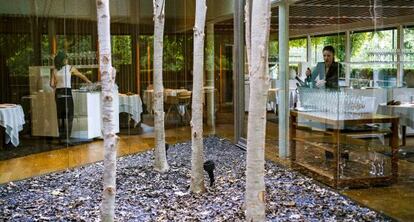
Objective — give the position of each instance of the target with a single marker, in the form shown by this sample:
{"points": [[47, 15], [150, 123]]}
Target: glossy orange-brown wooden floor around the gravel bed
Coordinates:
{"points": [[396, 200]]}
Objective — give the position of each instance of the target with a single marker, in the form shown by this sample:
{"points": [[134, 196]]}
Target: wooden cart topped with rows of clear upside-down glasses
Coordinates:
{"points": [[333, 153]]}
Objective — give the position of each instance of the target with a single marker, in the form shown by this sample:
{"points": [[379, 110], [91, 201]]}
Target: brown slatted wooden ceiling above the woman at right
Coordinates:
{"points": [[311, 15]]}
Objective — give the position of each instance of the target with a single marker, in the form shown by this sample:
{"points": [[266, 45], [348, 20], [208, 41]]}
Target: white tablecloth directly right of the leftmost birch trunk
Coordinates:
{"points": [[131, 104]]}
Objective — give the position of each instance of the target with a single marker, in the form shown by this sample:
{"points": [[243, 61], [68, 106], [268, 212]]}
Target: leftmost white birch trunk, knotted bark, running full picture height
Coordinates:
{"points": [[110, 138]]}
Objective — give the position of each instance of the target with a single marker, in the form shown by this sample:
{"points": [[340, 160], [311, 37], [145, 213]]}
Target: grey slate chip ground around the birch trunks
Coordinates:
{"points": [[145, 195]]}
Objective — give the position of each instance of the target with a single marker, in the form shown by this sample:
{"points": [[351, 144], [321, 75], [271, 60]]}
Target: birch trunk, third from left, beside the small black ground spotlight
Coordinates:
{"points": [[197, 157]]}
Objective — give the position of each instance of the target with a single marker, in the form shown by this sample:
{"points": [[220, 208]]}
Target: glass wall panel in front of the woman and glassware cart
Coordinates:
{"points": [[337, 133]]}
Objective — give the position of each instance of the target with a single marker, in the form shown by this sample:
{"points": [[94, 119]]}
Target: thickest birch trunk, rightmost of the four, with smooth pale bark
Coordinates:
{"points": [[256, 128]]}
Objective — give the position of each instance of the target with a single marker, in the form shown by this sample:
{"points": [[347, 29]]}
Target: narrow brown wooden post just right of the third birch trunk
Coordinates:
{"points": [[209, 84]]}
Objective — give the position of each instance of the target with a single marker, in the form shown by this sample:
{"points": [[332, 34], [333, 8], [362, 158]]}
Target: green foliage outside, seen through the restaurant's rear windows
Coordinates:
{"points": [[18, 49]]}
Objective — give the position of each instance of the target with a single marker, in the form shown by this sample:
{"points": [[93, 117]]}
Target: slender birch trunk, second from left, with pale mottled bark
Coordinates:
{"points": [[160, 156]]}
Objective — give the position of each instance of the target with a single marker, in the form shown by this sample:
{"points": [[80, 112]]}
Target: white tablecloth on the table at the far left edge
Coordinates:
{"points": [[12, 119]]}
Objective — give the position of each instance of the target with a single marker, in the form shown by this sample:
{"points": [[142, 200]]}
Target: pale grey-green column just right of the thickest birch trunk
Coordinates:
{"points": [[284, 79]]}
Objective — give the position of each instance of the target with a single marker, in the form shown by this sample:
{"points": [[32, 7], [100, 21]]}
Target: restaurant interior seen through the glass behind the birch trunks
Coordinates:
{"points": [[357, 138]]}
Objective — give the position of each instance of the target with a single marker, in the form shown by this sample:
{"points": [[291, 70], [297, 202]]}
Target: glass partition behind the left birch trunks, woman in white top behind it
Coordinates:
{"points": [[61, 125]]}
